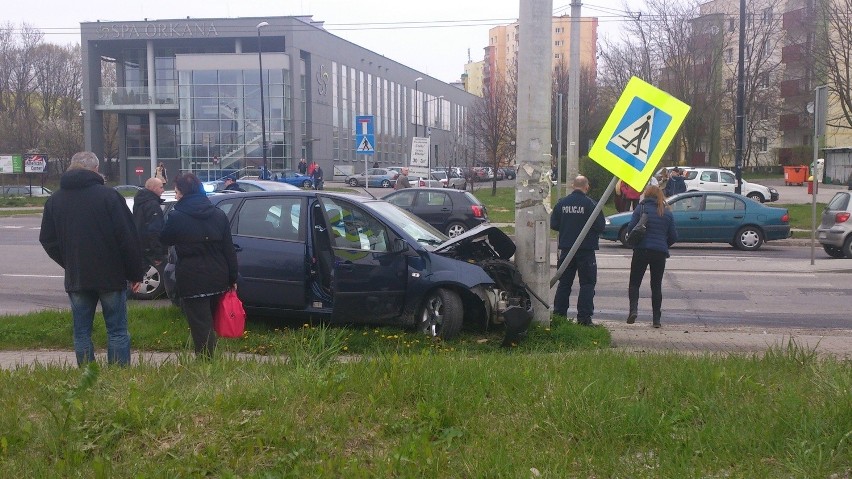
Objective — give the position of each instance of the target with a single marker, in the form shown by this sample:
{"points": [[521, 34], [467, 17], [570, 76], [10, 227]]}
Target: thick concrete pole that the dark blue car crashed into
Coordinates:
{"points": [[532, 188]]}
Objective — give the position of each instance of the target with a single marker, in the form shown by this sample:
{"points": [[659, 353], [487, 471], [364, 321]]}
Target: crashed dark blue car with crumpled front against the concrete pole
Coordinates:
{"points": [[354, 259]]}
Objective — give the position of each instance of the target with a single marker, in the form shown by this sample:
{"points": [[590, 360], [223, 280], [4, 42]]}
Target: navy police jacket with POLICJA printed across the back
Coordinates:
{"points": [[568, 217]]}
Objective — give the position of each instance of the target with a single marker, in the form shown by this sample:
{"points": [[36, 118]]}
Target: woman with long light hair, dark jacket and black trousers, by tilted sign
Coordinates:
{"points": [[651, 251]]}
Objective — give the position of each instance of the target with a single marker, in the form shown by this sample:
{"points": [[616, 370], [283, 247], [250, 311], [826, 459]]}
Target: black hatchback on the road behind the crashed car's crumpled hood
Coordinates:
{"points": [[450, 211]]}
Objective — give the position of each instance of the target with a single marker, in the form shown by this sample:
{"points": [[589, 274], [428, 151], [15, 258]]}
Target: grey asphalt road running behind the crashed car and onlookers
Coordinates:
{"points": [[704, 285]]}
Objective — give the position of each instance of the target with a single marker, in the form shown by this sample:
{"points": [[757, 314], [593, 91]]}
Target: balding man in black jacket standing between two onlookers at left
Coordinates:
{"points": [[148, 219]]}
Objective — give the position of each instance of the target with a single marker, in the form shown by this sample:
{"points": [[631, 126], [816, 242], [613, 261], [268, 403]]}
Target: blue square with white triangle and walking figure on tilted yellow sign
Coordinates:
{"points": [[638, 133]]}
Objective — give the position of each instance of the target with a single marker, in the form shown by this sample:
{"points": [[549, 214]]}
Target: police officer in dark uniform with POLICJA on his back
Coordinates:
{"points": [[568, 218]]}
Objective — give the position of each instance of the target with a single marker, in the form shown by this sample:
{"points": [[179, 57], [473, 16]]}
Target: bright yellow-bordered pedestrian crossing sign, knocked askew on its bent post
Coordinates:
{"points": [[640, 128]]}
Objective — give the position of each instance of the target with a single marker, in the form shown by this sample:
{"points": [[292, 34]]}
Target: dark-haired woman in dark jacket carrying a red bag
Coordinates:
{"points": [[206, 260]]}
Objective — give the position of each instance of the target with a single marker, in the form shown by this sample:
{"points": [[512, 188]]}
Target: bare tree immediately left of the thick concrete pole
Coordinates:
{"points": [[492, 124]]}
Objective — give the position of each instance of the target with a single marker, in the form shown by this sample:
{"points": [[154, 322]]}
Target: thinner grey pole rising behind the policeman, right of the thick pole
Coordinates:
{"points": [[573, 160]]}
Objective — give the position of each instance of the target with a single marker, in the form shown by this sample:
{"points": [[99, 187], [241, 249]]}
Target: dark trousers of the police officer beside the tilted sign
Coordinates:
{"points": [[585, 265]]}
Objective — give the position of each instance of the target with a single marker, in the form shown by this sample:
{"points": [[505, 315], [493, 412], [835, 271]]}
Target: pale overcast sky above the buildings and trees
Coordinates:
{"points": [[431, 36]]}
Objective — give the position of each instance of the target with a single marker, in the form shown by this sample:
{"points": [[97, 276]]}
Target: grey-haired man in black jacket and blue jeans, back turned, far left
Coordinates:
{"points": [[88, 230]]}
